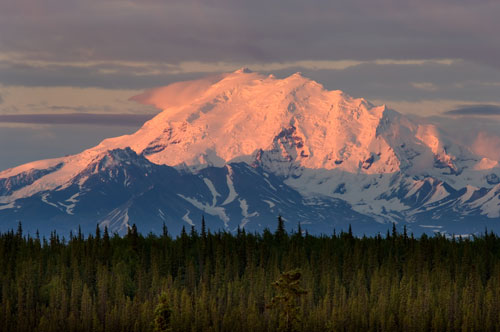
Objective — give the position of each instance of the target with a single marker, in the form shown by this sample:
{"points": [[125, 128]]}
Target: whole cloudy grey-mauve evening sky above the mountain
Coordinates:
{"points": [[69, 68]]}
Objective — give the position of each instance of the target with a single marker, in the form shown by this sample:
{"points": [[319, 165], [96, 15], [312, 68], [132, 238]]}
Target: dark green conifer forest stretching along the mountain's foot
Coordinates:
{"points": [[273, 281]]}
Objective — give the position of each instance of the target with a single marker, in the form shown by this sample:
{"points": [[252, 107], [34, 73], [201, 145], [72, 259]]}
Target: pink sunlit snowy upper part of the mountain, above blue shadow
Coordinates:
{"points": [[233, 117]]}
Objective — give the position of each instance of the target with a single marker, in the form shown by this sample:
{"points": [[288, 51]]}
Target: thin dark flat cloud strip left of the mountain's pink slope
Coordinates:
{"points": [[78, 118]]}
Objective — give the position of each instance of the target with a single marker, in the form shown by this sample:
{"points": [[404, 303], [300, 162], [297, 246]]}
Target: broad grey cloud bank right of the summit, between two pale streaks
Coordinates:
{"points": [[396, 82]]}
